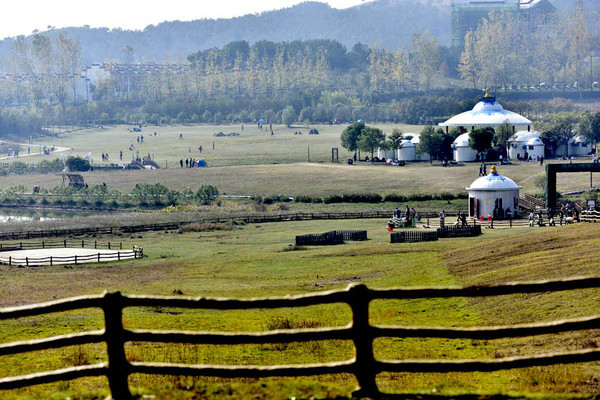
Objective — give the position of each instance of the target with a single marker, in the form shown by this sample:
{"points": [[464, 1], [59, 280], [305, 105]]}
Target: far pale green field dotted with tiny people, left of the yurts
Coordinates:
{"points": [[252, 147]]}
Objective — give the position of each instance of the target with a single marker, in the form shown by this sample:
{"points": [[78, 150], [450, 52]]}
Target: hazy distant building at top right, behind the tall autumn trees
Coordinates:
{"points": [[467, 14]]}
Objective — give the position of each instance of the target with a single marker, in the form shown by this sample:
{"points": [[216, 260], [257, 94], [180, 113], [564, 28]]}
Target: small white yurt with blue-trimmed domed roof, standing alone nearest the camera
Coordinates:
{"points": [[493, 192]]}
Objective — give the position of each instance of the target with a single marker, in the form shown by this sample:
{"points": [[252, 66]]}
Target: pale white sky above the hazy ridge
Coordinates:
{"points": [[21, 17]]}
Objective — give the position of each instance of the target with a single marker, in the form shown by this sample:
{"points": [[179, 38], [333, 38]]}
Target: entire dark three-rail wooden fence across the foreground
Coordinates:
{"points": [[363, 366]]}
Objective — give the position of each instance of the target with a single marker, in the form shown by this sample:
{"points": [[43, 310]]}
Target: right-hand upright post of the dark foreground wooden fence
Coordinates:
{"points": [[364, 366]]}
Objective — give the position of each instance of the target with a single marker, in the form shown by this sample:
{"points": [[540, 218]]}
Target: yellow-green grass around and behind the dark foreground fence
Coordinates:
{"points": [[253, 260]]}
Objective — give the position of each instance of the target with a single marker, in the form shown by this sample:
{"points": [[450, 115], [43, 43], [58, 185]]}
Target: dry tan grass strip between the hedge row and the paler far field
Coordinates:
{"points": [[312, 178]]}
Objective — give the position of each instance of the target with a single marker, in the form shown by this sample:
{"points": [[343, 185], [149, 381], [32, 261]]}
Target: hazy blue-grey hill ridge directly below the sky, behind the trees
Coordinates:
{"points": [[384, 23]]}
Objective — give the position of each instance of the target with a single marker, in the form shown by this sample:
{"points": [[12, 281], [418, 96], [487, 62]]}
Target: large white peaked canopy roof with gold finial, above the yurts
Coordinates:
{"points": [[488, 112]]}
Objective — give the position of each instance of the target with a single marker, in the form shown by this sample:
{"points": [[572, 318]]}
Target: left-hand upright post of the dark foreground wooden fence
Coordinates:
{"points": [[118, 366]]}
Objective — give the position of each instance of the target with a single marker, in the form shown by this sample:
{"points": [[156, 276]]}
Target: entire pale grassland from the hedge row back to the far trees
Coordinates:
{"points": [[257, 163]]}
